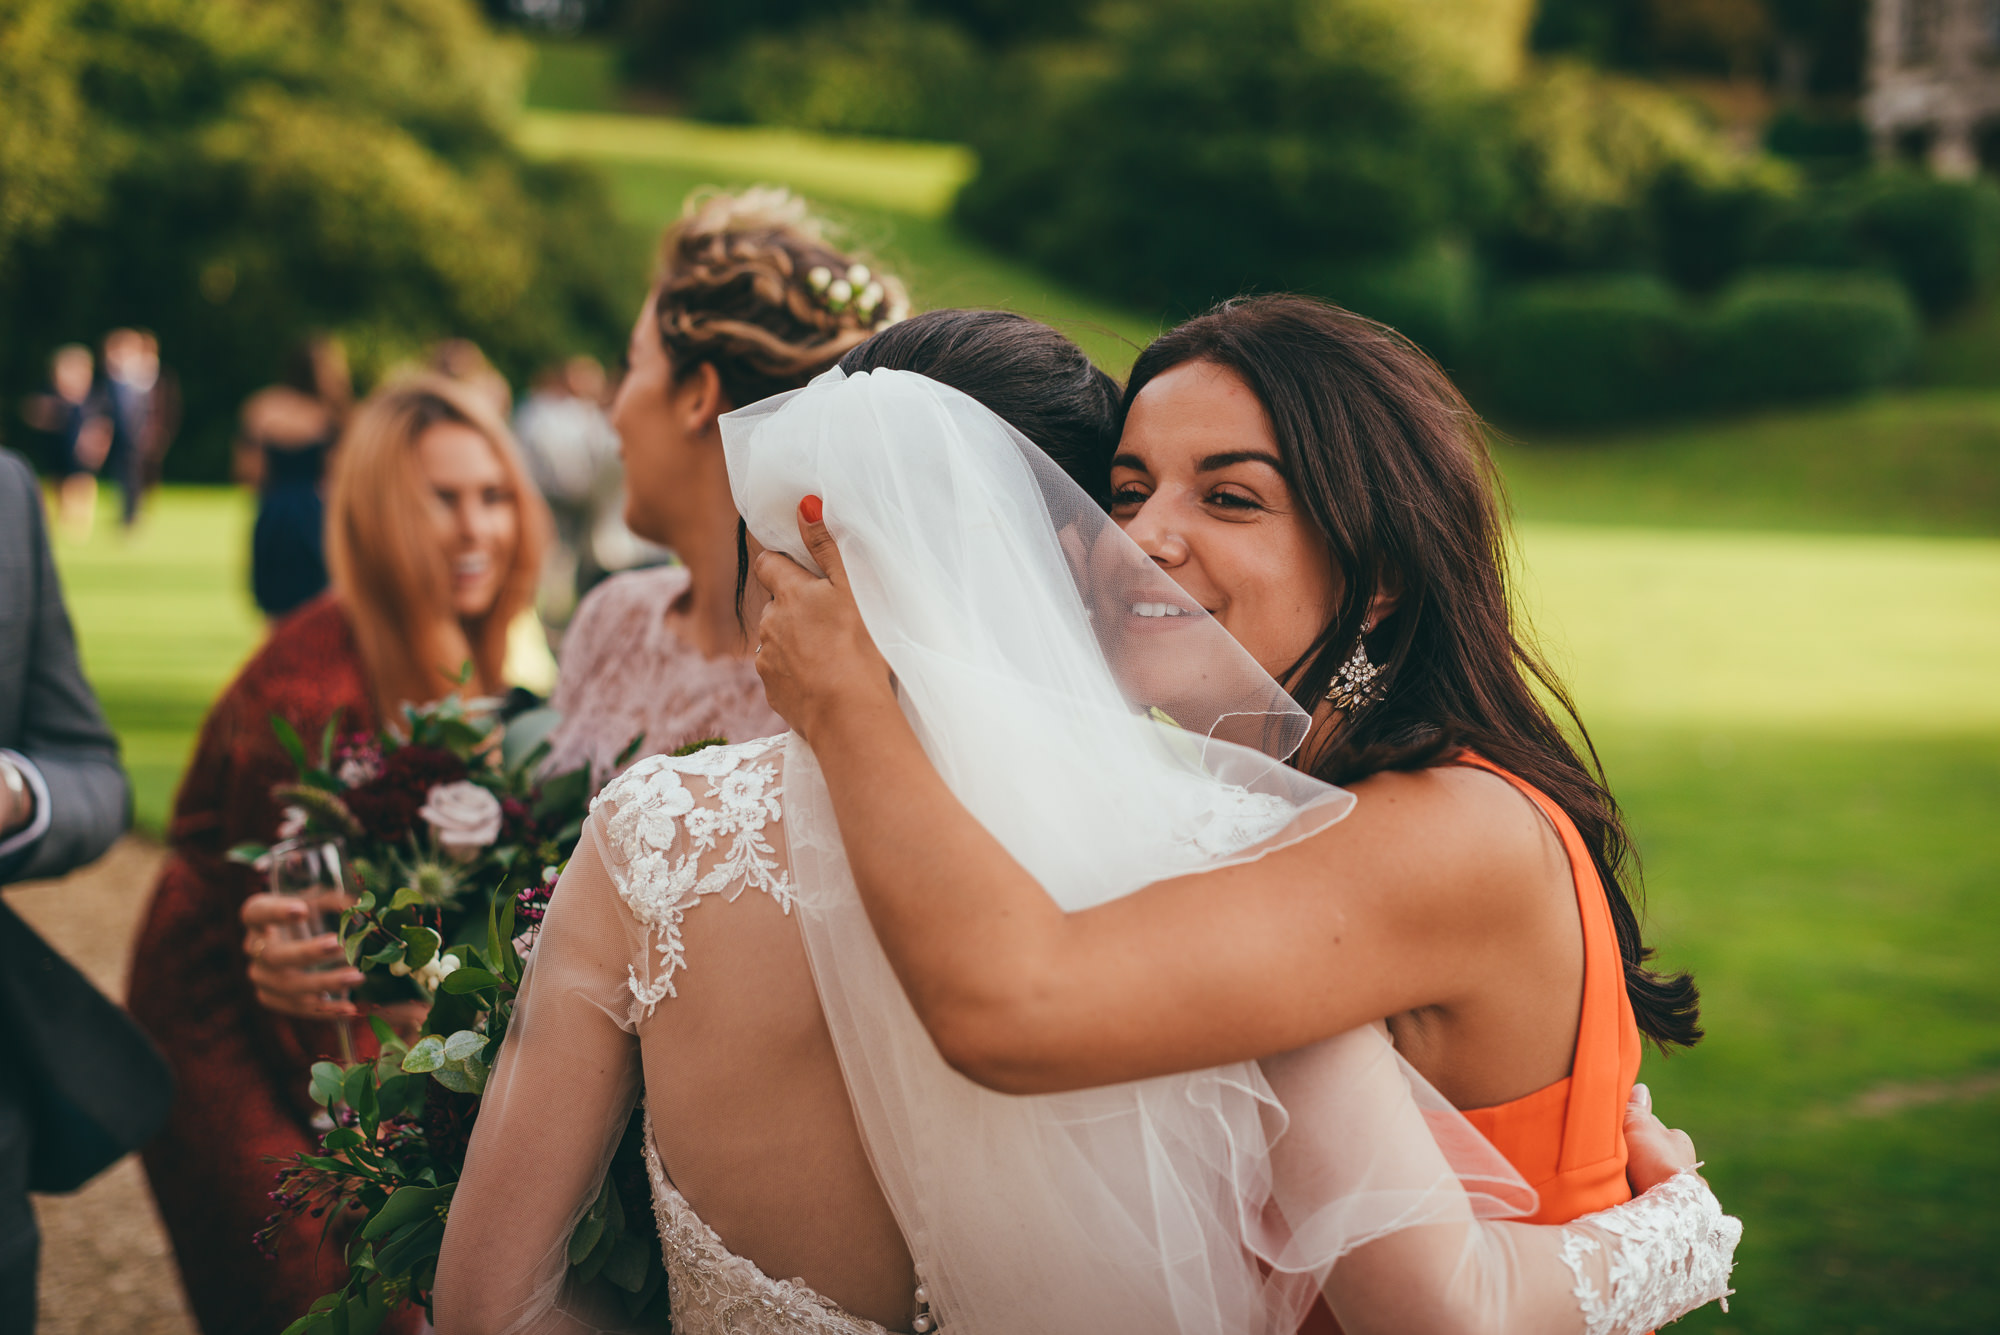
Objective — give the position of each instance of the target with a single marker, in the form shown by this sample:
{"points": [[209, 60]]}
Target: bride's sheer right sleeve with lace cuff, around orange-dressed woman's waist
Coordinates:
{"points": [[1365, 1128]]}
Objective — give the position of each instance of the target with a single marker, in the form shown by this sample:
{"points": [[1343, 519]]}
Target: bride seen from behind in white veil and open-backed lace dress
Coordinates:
{"points": [[803, 1126]]}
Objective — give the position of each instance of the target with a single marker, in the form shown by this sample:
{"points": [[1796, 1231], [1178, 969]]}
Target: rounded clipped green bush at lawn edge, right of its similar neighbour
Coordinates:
{"points": [[1779, 337]]}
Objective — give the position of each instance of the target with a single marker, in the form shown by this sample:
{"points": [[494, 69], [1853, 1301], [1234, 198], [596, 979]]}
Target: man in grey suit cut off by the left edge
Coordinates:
{"points": [[77, 1082]]}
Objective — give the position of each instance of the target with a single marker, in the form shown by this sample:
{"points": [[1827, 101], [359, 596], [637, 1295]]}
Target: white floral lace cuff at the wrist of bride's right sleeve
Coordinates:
{"points": [[1677, 1250]]}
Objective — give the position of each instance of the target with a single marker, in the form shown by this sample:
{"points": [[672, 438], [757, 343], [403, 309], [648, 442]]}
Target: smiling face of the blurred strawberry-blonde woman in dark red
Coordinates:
{"points": [[473, 513]]}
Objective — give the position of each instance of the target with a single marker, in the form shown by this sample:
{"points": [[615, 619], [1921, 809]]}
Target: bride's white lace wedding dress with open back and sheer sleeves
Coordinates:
{"points": [[681, 838]]}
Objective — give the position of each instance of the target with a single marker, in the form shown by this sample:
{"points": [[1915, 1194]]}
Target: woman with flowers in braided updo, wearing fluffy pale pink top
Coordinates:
{"points": [[751, 301]]}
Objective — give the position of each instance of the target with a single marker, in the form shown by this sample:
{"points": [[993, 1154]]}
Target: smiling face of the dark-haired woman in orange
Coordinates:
{"points": [[1199, 485]]}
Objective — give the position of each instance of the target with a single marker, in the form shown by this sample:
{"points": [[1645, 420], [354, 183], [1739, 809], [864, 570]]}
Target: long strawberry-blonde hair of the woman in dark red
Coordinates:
{"points": [[393, 577]]}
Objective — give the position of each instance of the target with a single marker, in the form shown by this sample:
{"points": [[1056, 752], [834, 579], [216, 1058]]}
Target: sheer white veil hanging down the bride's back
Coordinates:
{"points": [[1111, 734]]}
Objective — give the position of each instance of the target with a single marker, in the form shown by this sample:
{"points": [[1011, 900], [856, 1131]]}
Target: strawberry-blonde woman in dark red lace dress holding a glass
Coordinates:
{"points": [[435, 539]]}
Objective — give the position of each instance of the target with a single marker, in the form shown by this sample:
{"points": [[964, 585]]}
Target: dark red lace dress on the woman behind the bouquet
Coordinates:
{"points": [[239, 1068]]}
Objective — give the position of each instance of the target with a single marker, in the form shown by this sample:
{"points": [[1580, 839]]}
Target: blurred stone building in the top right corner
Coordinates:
{"points": [[1935, 83]]}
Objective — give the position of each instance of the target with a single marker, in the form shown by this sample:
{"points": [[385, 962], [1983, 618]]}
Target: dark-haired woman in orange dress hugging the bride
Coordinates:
{"points": [[1321, 489]]}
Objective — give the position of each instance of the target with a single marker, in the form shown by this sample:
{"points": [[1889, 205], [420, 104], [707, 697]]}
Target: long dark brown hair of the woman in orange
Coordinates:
{"points": [[1393, 467]]}
